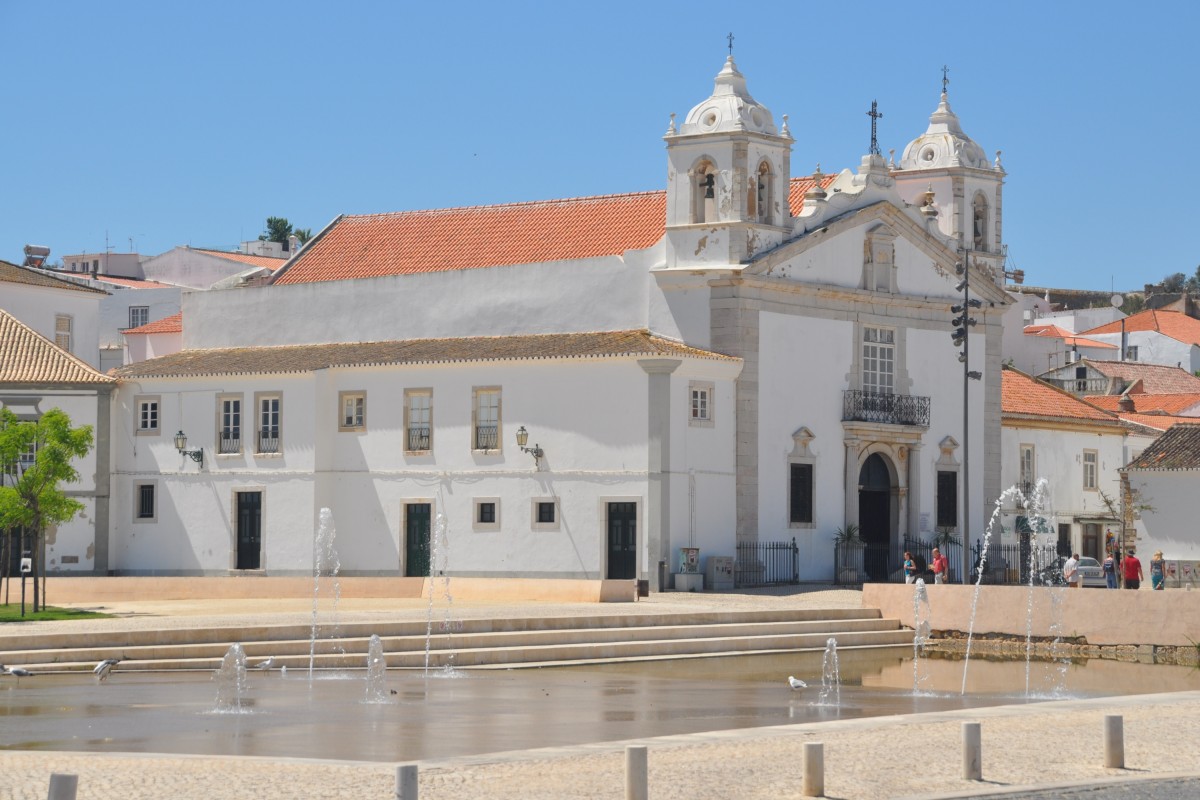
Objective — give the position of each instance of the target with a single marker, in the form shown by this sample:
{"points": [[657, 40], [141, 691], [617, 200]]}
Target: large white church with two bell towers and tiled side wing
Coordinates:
{"points": [[581, 388]]}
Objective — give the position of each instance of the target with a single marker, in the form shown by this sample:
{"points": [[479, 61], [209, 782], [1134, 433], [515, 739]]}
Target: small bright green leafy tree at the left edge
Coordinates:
{"points": [[35, 461]]}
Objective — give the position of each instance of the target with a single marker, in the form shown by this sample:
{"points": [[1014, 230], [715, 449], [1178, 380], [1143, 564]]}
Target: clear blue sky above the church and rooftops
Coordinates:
{"points": [[191, 123]]}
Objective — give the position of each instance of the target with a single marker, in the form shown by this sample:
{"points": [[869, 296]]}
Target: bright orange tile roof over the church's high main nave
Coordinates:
{"points": [[489, 236]]}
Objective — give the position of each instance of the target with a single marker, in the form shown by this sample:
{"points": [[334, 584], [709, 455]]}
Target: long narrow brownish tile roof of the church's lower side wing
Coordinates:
{"points": [[308, 358]]}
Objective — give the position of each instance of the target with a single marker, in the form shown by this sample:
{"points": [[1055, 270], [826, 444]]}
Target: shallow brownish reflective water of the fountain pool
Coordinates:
{"points": [[501, 711]]}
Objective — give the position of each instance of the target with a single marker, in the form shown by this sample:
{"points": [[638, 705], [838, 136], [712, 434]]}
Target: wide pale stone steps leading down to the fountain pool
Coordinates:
{"points": [[473, 643]]}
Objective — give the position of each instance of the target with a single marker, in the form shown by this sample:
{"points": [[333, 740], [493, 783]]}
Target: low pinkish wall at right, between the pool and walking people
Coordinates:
{"points": [[1094, 617]]}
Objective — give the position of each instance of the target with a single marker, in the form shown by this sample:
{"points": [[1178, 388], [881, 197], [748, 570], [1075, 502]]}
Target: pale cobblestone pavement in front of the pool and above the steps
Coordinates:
{"points": [[917, 756]]}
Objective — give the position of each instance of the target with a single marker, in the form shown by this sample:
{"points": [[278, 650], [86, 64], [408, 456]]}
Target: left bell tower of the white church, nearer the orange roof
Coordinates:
{"points": [[728, 178]]}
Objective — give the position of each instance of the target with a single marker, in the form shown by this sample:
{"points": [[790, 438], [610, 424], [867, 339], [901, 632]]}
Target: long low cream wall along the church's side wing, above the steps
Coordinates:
{"points": [[69, 590]]}
